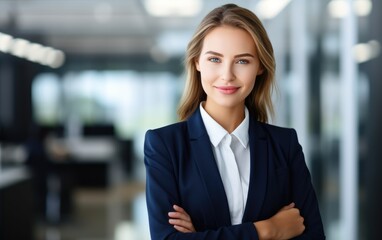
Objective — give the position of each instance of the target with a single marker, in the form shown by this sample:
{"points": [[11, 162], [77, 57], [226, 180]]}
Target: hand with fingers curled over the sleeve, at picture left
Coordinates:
{"points": [[181, 220]]}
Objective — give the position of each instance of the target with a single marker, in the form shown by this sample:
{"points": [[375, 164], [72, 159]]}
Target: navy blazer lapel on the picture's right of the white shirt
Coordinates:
{"points": [[259, 172]]}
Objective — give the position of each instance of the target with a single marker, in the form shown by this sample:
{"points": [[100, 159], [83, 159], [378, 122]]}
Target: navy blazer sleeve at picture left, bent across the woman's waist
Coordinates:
{"points": [[162, 192]]}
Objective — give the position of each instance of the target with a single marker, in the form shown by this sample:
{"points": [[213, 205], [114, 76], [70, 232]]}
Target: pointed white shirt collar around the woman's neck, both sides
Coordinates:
{"points": [[216, 132]]}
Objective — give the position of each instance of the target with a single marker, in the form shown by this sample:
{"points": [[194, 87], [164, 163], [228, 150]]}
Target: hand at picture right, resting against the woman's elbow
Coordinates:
{"points": [[285, 224]]}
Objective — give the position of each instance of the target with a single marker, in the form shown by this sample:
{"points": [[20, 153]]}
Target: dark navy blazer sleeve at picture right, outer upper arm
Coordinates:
{"points": [[303, 193]]}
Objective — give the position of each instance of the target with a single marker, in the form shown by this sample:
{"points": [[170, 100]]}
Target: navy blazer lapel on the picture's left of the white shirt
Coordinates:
{"points": [[202, 155]]}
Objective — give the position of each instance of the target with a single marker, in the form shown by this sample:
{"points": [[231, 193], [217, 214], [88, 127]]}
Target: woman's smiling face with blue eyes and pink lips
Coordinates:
{"points": [[228, 66]]}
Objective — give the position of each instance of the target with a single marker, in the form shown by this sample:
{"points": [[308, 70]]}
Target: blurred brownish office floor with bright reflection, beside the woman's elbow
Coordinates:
{"points": [[113, 213]]}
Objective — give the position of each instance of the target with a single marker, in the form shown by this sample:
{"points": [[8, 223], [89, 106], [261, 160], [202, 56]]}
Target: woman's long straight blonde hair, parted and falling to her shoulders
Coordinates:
{"points": [[258, 102]]}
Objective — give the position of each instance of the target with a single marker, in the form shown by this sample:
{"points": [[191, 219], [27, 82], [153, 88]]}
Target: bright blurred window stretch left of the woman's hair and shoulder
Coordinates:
{"points": [[130, 101]]}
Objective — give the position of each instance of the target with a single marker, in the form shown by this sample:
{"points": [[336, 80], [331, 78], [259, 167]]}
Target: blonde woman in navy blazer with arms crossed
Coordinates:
{"points": [[222, 172]]}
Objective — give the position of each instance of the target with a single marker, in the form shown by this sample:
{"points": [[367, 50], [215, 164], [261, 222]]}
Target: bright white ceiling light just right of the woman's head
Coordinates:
{"points": [[267, 9]]}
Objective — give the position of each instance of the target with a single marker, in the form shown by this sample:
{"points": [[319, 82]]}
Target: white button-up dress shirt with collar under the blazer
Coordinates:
{"points": [[232, 157]]}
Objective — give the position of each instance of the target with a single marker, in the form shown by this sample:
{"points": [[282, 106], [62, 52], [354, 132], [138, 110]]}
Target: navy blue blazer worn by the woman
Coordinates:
{"points": [[181, 169]]}
